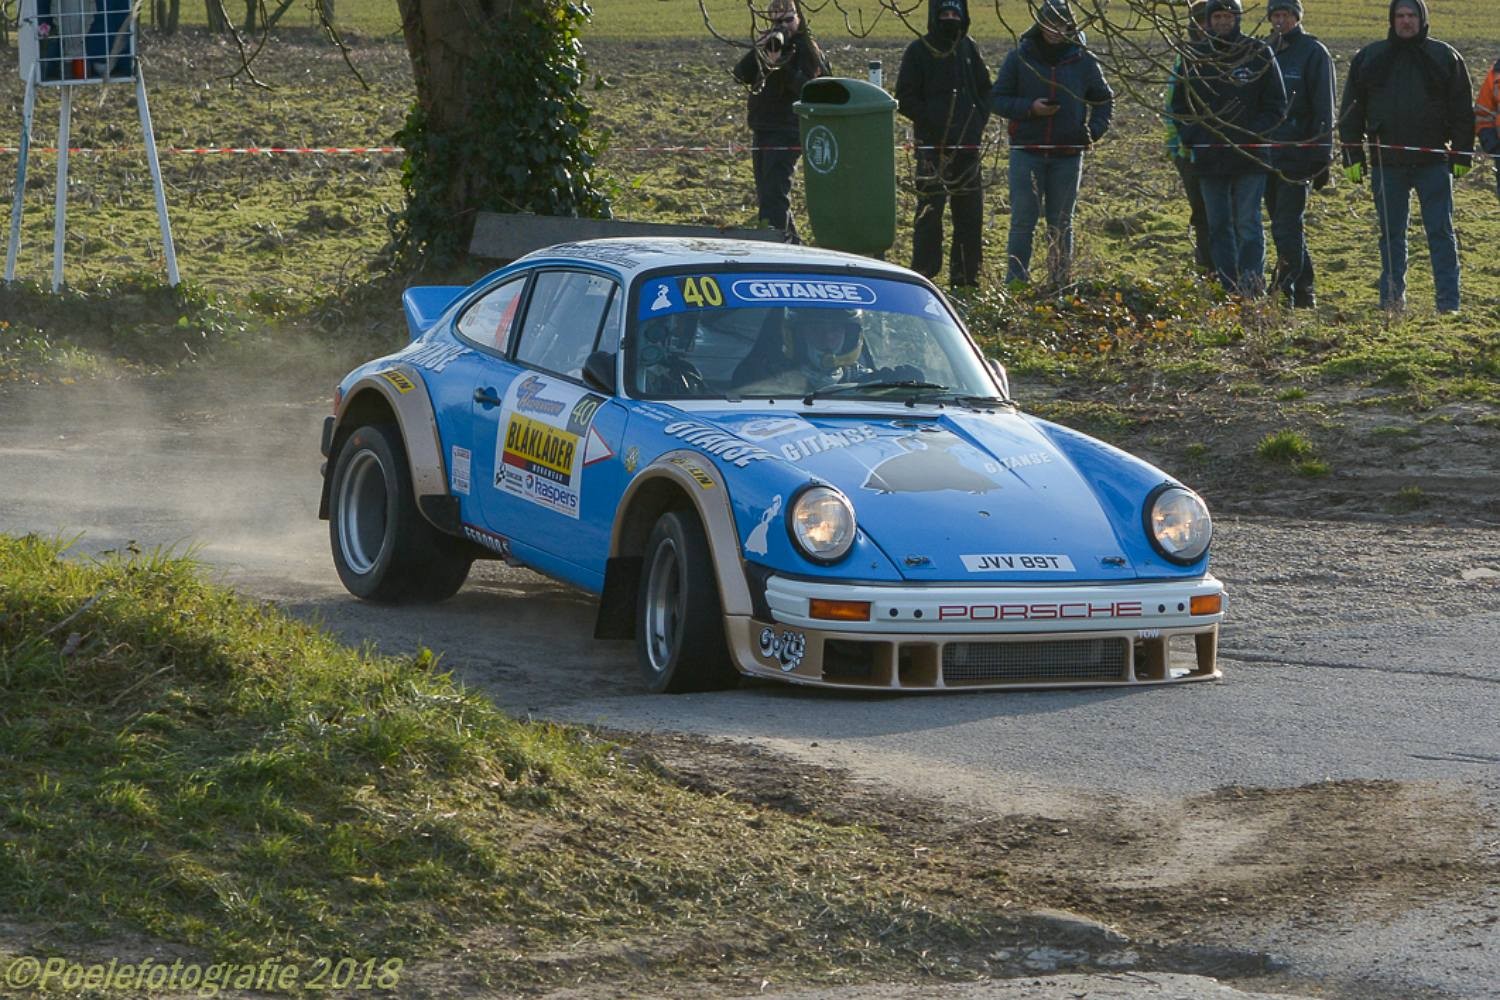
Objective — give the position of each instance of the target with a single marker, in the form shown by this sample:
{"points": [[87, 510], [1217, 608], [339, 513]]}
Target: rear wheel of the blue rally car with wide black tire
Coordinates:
{"points": [[383, 548]]}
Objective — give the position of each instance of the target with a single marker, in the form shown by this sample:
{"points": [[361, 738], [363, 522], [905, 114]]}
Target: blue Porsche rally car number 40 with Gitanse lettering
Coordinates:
{"points": [[766, 461]]}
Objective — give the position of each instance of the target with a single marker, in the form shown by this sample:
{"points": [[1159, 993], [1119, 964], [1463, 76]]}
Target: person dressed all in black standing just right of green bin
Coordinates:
{"points": [[943, 88]]}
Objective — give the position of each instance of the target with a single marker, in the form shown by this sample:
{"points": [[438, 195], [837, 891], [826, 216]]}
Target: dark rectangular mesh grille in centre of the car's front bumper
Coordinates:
{"points": [[1055, 660]]}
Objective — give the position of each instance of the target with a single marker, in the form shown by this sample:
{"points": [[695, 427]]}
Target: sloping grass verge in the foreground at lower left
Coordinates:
{"points": [[185, 765]]}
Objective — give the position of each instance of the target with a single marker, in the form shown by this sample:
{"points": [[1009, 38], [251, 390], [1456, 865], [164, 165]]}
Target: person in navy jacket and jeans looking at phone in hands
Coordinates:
{"points": [[1054, 92]]}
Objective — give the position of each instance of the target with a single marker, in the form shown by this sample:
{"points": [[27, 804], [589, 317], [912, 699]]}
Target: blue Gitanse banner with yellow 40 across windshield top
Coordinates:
{"points": [[691, 293]]}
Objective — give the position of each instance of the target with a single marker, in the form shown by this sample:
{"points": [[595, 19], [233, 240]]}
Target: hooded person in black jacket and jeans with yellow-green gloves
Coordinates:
{"points": [[1414, 92]]}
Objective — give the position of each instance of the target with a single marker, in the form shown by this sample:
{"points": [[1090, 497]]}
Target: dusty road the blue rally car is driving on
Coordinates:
{"points": [[1324, 821]]}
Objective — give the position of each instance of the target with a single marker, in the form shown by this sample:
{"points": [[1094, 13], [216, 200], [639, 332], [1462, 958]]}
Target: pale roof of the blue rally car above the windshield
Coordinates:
{"points": [[637, 256]]}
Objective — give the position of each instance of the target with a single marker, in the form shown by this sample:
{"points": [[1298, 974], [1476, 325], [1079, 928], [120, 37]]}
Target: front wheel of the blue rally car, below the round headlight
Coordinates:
{"points": [[680, 623]]}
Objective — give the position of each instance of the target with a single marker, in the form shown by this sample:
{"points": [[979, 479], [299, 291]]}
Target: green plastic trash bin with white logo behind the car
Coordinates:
{"points": [[850, 164]]}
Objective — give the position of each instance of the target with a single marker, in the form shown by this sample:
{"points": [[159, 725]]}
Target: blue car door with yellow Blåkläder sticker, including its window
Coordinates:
{"points": [[554, 484]]}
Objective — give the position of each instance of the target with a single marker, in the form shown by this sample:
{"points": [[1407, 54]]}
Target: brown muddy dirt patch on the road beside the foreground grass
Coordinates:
{"points": [[1168, 885]]}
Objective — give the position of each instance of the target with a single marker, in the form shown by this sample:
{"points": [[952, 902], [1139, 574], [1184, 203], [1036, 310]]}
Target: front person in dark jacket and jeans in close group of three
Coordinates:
{"points": [[1226, 106]]}
